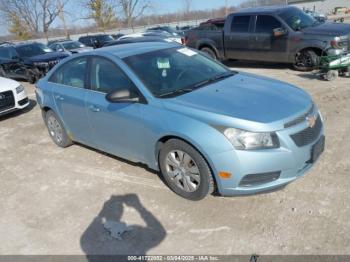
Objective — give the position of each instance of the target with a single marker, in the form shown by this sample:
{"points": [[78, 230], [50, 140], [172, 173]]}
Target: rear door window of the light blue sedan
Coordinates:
{"points": [[71, 73]]}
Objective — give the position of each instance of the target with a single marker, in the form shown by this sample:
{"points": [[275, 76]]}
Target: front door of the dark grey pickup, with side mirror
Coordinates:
{"points": [[265, 46]]}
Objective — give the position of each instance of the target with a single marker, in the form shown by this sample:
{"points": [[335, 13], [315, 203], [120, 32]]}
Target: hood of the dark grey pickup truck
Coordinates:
{"points": [[329, 28]]}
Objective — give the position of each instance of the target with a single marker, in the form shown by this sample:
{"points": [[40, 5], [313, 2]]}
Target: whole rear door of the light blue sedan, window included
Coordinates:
{"points": [[69, 93]]}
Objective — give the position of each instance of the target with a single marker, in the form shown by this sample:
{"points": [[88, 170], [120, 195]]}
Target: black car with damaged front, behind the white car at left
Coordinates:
{"points": [[28, 61]]}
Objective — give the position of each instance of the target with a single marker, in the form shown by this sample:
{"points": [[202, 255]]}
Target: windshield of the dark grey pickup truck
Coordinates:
{"points": [[298, 19]]}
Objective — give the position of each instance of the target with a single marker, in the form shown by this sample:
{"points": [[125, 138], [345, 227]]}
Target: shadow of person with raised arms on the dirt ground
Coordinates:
{"points": [[97, 240]]}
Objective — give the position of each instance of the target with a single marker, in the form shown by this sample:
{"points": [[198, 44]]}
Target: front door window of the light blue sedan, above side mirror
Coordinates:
{"points": [[107, 77]]}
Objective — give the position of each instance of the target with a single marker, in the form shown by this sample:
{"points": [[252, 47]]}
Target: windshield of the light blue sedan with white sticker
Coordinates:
{"points": [[171, 72]]}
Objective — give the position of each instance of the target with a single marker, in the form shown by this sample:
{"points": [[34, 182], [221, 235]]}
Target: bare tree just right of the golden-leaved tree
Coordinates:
{"points": [[132, 9]]}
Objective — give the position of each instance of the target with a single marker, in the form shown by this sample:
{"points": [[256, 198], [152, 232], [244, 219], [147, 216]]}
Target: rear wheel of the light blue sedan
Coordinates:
{"points": [[56, 130]]}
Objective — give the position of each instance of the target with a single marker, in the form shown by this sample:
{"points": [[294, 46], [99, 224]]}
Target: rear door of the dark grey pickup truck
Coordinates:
{"points": [[237, 37]]}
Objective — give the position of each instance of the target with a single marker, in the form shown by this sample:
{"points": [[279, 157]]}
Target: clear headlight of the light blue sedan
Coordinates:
{"points": [[244, 140]]}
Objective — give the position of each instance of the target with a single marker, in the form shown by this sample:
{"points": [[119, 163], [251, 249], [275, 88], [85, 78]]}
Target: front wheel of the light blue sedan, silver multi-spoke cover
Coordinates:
{"points": [[175, 170]]}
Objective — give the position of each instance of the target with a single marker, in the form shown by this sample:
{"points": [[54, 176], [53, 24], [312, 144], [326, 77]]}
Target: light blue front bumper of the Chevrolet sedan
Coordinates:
{"points": [[289, 161]]}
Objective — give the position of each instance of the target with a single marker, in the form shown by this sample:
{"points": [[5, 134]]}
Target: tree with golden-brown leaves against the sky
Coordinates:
{"points": [[102, 12]]}
